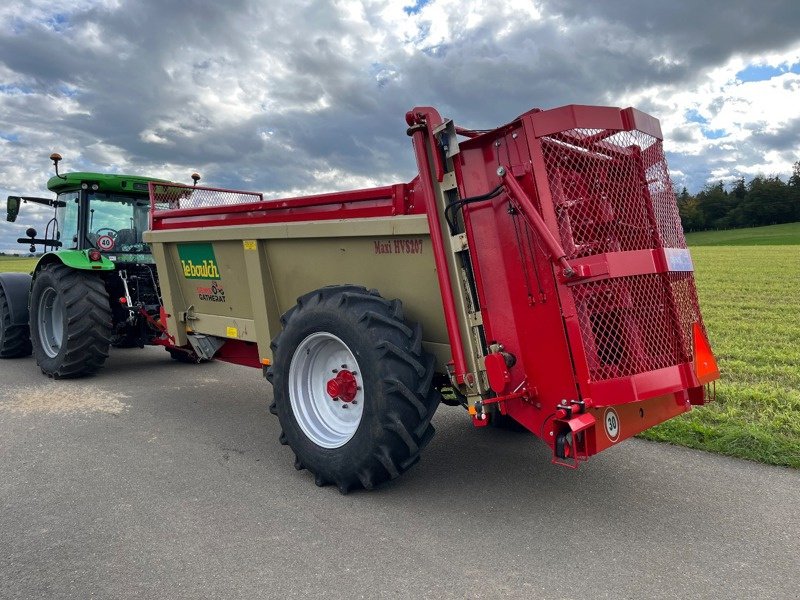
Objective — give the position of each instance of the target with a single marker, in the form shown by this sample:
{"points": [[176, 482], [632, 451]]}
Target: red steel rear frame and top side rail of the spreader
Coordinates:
{"points": [[569, 313]]}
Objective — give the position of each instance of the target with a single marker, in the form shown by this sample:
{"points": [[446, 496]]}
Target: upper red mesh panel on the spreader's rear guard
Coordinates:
{"points": [[611, 191]]}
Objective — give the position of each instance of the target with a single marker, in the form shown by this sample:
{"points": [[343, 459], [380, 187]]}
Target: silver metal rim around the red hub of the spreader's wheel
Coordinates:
{"points": [[328, 422]]}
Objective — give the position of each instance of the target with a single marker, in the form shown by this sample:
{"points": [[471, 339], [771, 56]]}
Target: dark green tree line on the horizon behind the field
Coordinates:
{"points": [[762, 201]]}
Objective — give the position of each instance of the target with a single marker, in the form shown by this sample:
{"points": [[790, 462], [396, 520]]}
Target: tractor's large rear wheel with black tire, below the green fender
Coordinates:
{"points": [[70, 321]]}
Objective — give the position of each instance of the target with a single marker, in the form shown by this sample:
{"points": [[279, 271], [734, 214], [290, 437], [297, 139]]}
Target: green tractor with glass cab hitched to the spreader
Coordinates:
{"points": [[96, 283]]}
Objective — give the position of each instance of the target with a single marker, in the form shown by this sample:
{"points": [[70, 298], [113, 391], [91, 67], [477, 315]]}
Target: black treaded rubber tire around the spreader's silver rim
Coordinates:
{"points": [[394, 372]]}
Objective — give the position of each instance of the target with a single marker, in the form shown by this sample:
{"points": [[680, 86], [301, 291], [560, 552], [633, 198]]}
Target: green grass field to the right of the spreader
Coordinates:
{"points": [[750, 299]]}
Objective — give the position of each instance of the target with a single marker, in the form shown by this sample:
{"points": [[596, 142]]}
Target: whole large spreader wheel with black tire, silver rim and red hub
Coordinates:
{"points": [[375, 431]]}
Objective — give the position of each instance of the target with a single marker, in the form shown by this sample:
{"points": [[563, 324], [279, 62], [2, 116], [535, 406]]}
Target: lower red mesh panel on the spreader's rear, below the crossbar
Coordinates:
{"points": [[636, 324]]}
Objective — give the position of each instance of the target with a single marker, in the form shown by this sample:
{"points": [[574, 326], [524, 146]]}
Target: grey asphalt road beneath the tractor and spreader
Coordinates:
{"points": [[155, 479]]}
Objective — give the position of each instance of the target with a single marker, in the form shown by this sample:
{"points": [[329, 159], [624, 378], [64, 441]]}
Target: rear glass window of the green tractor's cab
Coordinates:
{"points": [[116, 223]]}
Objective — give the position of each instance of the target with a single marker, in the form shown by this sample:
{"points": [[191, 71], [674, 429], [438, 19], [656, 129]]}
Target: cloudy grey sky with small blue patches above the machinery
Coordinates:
{"points": [[304, 96]]}
